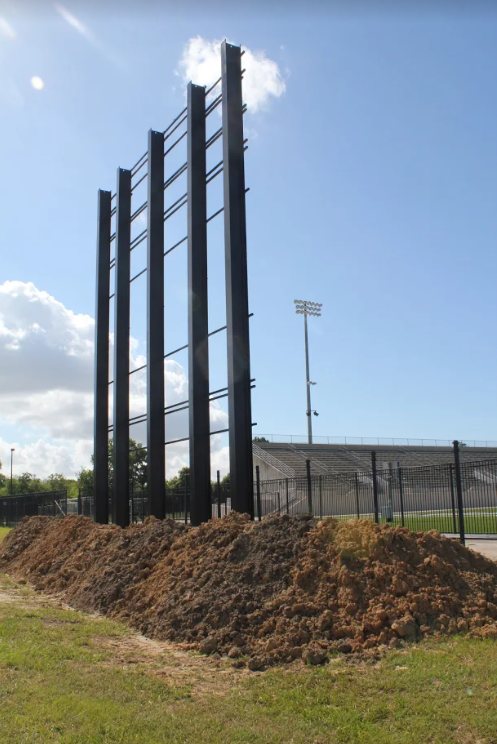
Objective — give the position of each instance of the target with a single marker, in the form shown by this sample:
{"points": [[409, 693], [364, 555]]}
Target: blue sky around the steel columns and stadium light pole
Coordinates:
{"points": [[373, 184]]}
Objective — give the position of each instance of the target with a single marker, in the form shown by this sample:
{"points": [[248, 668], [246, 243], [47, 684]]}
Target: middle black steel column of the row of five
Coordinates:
{"points": [[155, 327]]}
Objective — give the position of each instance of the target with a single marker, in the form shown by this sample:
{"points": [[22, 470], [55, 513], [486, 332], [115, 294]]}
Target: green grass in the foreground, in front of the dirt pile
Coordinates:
{"points": [[71, 678]]}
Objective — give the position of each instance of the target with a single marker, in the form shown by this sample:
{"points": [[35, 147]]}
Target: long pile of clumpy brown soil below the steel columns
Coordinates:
{"points": [[263, 593]]}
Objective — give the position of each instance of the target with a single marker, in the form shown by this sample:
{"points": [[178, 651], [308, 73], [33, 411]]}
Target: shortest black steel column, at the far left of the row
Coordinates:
{"points": [[101, 379]]}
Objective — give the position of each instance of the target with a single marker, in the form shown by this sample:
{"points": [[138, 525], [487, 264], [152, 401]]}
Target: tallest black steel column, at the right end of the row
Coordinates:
{"points": [[239, 398]]}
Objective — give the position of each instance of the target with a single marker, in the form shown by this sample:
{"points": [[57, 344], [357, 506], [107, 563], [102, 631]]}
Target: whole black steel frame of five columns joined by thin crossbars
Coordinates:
{"points": [[237, 315]]}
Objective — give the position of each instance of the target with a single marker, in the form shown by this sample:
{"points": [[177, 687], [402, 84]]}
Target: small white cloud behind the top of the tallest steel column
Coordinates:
{"points": [[201, 63]]}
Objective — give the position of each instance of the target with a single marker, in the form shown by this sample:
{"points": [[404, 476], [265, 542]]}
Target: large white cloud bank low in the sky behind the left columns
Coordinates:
{"points": [[46, 387]]}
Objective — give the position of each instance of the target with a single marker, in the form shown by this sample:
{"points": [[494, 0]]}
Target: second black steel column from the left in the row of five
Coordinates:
{"points": [[121, 350]]}
